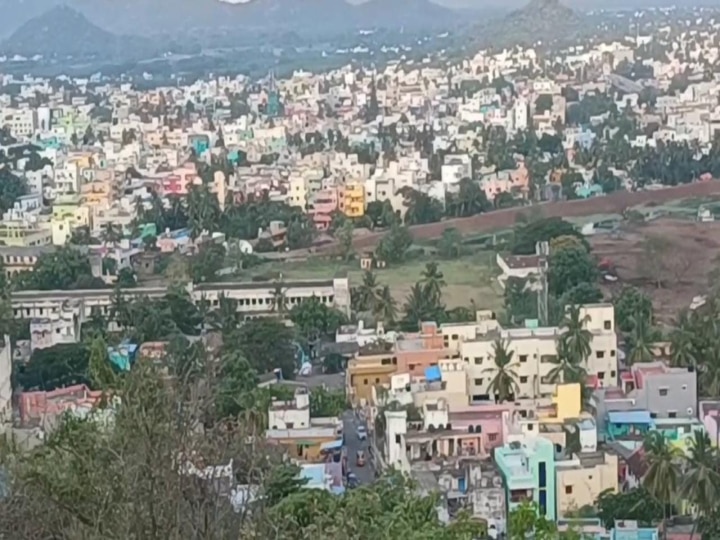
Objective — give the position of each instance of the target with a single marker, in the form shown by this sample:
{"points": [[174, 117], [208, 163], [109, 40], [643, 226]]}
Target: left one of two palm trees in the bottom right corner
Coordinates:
{"points": [[663, 477]]}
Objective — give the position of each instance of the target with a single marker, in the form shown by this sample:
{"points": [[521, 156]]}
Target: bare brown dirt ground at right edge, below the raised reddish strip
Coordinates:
{"points": [[679, 254]]}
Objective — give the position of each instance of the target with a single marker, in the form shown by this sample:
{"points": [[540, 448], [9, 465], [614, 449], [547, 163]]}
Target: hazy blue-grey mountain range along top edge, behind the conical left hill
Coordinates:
{"points": [[155, 17]]}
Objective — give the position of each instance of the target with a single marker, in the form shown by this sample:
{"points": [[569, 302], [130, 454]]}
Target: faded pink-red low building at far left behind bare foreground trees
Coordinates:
{"points": [[38, 407]]}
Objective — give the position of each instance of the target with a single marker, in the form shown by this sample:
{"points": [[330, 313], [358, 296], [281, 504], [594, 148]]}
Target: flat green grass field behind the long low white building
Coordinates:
{"points": [[471, 277]]}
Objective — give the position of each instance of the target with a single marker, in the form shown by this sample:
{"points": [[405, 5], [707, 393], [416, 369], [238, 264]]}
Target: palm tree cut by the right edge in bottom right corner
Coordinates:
{"points": [[701, 479]]}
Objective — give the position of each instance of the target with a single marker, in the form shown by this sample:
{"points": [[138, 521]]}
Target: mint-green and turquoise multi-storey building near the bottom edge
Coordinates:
{"points": [[528, 470]]}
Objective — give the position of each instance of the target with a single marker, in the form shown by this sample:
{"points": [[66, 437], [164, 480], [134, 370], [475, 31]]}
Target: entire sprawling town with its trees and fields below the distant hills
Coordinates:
{"points": [[467, 300]]}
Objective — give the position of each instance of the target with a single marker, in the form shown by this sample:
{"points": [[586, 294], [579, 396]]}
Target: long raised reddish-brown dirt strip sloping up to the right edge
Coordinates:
{"points": [[614, 203]]}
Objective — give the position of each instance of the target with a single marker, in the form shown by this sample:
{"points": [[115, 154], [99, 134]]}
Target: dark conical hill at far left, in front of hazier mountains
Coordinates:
{"points": [[63, 32]]}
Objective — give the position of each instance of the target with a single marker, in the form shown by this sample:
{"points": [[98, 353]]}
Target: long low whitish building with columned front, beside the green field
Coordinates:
{"points": [[254, 298]]}
